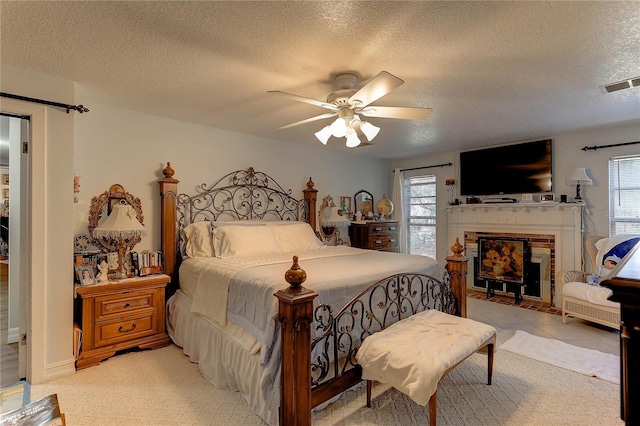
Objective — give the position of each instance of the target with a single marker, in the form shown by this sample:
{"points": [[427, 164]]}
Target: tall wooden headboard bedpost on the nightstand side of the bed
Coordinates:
{"points": [[168, 221]]}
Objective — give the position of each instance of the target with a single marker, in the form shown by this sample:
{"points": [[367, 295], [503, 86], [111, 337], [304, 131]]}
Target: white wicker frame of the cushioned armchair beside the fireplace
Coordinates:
{"points": [[580, 308]]}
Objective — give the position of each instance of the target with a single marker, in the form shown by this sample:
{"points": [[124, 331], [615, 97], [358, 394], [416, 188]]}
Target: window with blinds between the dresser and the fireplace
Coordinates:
{"points": [[420, 193]]}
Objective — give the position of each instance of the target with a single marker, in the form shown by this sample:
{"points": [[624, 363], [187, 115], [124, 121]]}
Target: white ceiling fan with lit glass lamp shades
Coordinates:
{"points": [[347, 104]]}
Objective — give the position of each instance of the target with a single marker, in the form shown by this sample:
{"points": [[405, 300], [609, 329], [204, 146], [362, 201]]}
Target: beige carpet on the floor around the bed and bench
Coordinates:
{"points": [[162, 387]]}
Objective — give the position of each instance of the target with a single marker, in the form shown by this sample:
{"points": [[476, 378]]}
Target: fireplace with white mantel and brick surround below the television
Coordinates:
{"points": [[552, 231]]}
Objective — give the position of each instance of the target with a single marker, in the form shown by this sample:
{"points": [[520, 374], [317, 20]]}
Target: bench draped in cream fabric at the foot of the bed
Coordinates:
{"points": [[414, 354]]}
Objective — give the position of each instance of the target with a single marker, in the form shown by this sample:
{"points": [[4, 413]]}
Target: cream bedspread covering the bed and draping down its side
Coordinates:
{"points": [[241, 290]]}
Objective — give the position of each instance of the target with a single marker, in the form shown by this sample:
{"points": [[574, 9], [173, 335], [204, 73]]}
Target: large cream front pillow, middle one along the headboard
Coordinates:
{"points": [[243, 241]]}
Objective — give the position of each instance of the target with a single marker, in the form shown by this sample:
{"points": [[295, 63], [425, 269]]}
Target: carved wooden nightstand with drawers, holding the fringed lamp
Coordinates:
{"points": [[120, 315]]}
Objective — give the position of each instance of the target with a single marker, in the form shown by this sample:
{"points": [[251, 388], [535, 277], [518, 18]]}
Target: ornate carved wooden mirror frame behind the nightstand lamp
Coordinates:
{"points": [[116, 194]]}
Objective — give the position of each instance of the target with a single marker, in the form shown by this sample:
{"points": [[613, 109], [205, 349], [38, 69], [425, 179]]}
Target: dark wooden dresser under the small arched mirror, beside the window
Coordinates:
{"points": [[375, 235]]}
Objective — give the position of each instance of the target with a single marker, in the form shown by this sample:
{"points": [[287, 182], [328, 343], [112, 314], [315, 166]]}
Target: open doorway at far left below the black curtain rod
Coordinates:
{"points": [[14, 259]]}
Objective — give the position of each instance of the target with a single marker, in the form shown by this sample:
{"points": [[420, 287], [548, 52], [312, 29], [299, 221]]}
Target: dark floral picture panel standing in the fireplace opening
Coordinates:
{"points": [[502, 259]]}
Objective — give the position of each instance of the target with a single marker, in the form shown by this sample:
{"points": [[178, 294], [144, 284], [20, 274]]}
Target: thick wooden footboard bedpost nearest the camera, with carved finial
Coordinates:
{"points": [[296, 317]]}
